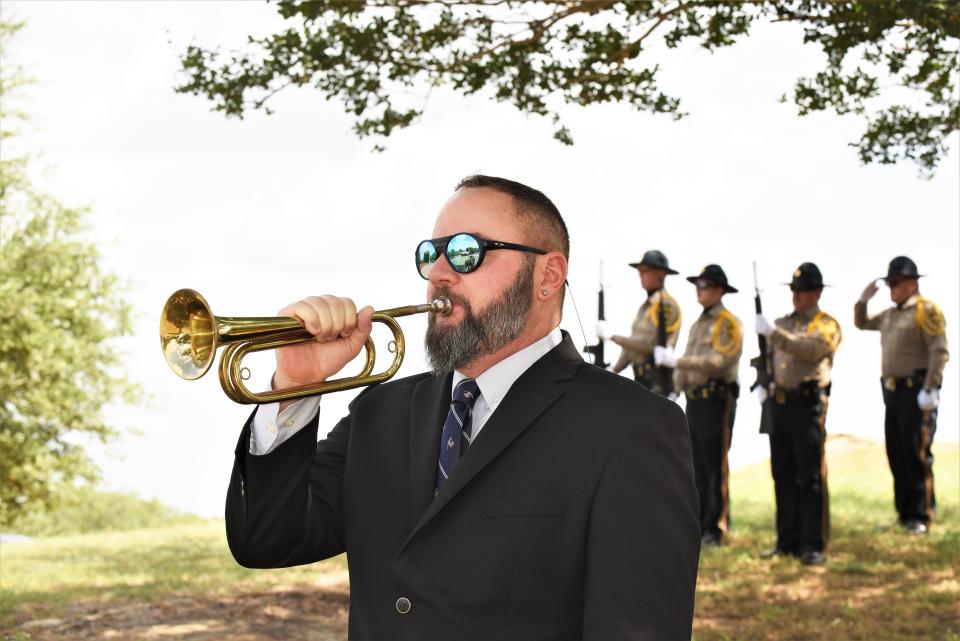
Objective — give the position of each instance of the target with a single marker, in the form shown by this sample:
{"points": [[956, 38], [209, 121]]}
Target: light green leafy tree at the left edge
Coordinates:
{"points": [[58, 313]]}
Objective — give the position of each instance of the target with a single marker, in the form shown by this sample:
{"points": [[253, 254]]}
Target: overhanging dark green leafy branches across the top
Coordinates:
{"points": [[372, 55]]}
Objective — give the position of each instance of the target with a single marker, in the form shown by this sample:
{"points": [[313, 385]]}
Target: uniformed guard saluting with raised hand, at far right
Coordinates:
{"points": [[913, 344]]}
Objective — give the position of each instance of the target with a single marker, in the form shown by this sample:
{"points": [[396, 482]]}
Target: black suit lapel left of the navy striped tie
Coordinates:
{"points": [[428, 410]]}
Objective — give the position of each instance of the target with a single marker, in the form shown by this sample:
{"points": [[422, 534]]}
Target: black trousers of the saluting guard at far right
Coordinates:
{"points": [[909, 435]]}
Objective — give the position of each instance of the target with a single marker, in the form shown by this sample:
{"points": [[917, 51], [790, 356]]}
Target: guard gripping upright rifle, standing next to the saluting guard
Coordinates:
{"points": [[802, 346]]}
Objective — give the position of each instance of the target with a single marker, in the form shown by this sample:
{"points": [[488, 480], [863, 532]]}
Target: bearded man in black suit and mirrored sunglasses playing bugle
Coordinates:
{"points": [[515, 492]]}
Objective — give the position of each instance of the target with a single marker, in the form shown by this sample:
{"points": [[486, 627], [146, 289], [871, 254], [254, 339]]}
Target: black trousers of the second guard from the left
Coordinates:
{"points": [[711, 426]]}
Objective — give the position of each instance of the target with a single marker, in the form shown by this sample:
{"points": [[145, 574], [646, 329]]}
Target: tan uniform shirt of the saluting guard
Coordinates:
{"points": [[912, 337]]}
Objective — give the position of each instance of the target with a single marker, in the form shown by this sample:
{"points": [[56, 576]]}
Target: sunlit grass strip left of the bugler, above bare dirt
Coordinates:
{"points": [[43, 578]]}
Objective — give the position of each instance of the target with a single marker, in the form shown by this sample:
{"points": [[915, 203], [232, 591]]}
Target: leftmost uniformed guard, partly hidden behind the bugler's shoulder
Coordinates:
{"points": [[638, 347]]}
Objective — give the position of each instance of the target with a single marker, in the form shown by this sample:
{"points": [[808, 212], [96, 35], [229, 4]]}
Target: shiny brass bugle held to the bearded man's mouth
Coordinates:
{"points": [[190, 335]]}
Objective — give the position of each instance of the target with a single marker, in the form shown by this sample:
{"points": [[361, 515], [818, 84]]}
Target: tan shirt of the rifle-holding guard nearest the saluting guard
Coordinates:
{"points": [[803, 348]]}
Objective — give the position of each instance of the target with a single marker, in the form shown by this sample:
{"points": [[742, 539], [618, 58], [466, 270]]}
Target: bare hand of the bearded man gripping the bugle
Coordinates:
{"points": [[339, 331]]}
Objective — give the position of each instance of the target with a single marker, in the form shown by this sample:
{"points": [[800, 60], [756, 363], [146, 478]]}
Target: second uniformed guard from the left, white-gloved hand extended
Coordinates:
{"points": [[707, 374]]}
